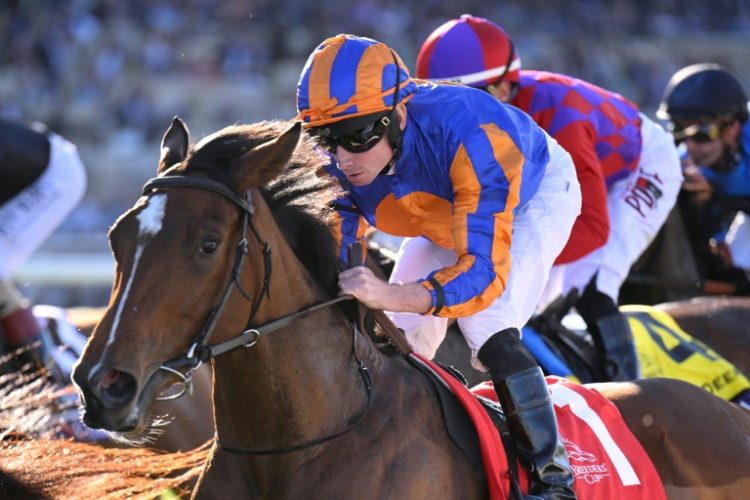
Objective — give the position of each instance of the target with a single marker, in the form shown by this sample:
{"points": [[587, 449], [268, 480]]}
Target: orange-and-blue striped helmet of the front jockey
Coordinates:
{"points": [[348, 76]]}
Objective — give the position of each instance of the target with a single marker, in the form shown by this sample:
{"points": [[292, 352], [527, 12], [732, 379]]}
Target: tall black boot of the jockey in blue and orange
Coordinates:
{"points": [[524, 397]]}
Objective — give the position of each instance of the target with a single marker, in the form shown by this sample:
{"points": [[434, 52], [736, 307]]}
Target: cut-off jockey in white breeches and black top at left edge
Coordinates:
{"points": [[41, 180]]}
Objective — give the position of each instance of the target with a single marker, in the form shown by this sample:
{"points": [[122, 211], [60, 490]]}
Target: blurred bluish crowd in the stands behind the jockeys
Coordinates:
{"points": [[110, 74]]}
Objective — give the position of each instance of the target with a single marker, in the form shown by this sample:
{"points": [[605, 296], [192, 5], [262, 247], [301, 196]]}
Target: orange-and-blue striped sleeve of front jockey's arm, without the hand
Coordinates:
{"points": [[485, 175]]}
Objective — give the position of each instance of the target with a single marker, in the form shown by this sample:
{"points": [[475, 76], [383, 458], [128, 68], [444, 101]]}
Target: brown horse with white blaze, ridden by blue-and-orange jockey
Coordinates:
{"points": [[230, 256]]}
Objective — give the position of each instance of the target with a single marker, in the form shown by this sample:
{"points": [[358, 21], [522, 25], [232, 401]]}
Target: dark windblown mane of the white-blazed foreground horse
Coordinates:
{"points": [[299, 198]]}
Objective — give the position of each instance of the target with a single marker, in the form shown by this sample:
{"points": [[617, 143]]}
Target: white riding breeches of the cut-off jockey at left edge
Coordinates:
{"points": [[30, 217]]}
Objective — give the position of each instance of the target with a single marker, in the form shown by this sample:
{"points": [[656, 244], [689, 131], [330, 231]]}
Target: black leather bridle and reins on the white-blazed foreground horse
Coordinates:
{"points": [[200, 351]]}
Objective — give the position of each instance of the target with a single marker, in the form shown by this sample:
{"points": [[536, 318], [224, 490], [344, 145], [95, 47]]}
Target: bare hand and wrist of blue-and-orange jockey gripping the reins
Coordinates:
{"points": [[378, 294]]}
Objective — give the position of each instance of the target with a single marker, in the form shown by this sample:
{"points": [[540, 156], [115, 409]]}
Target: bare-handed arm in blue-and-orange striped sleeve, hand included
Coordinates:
{"points": [[481, 232]]}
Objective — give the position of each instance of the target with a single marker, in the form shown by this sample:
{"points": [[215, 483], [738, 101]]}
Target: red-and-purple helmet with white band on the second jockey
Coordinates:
{"points": [[469, 50]]}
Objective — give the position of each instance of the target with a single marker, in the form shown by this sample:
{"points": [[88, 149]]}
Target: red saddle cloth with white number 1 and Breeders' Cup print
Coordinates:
{"points": [[606, 458]]}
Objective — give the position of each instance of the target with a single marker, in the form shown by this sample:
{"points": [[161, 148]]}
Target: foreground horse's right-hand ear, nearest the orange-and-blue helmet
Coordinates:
{"points": [[267, 161]]}
